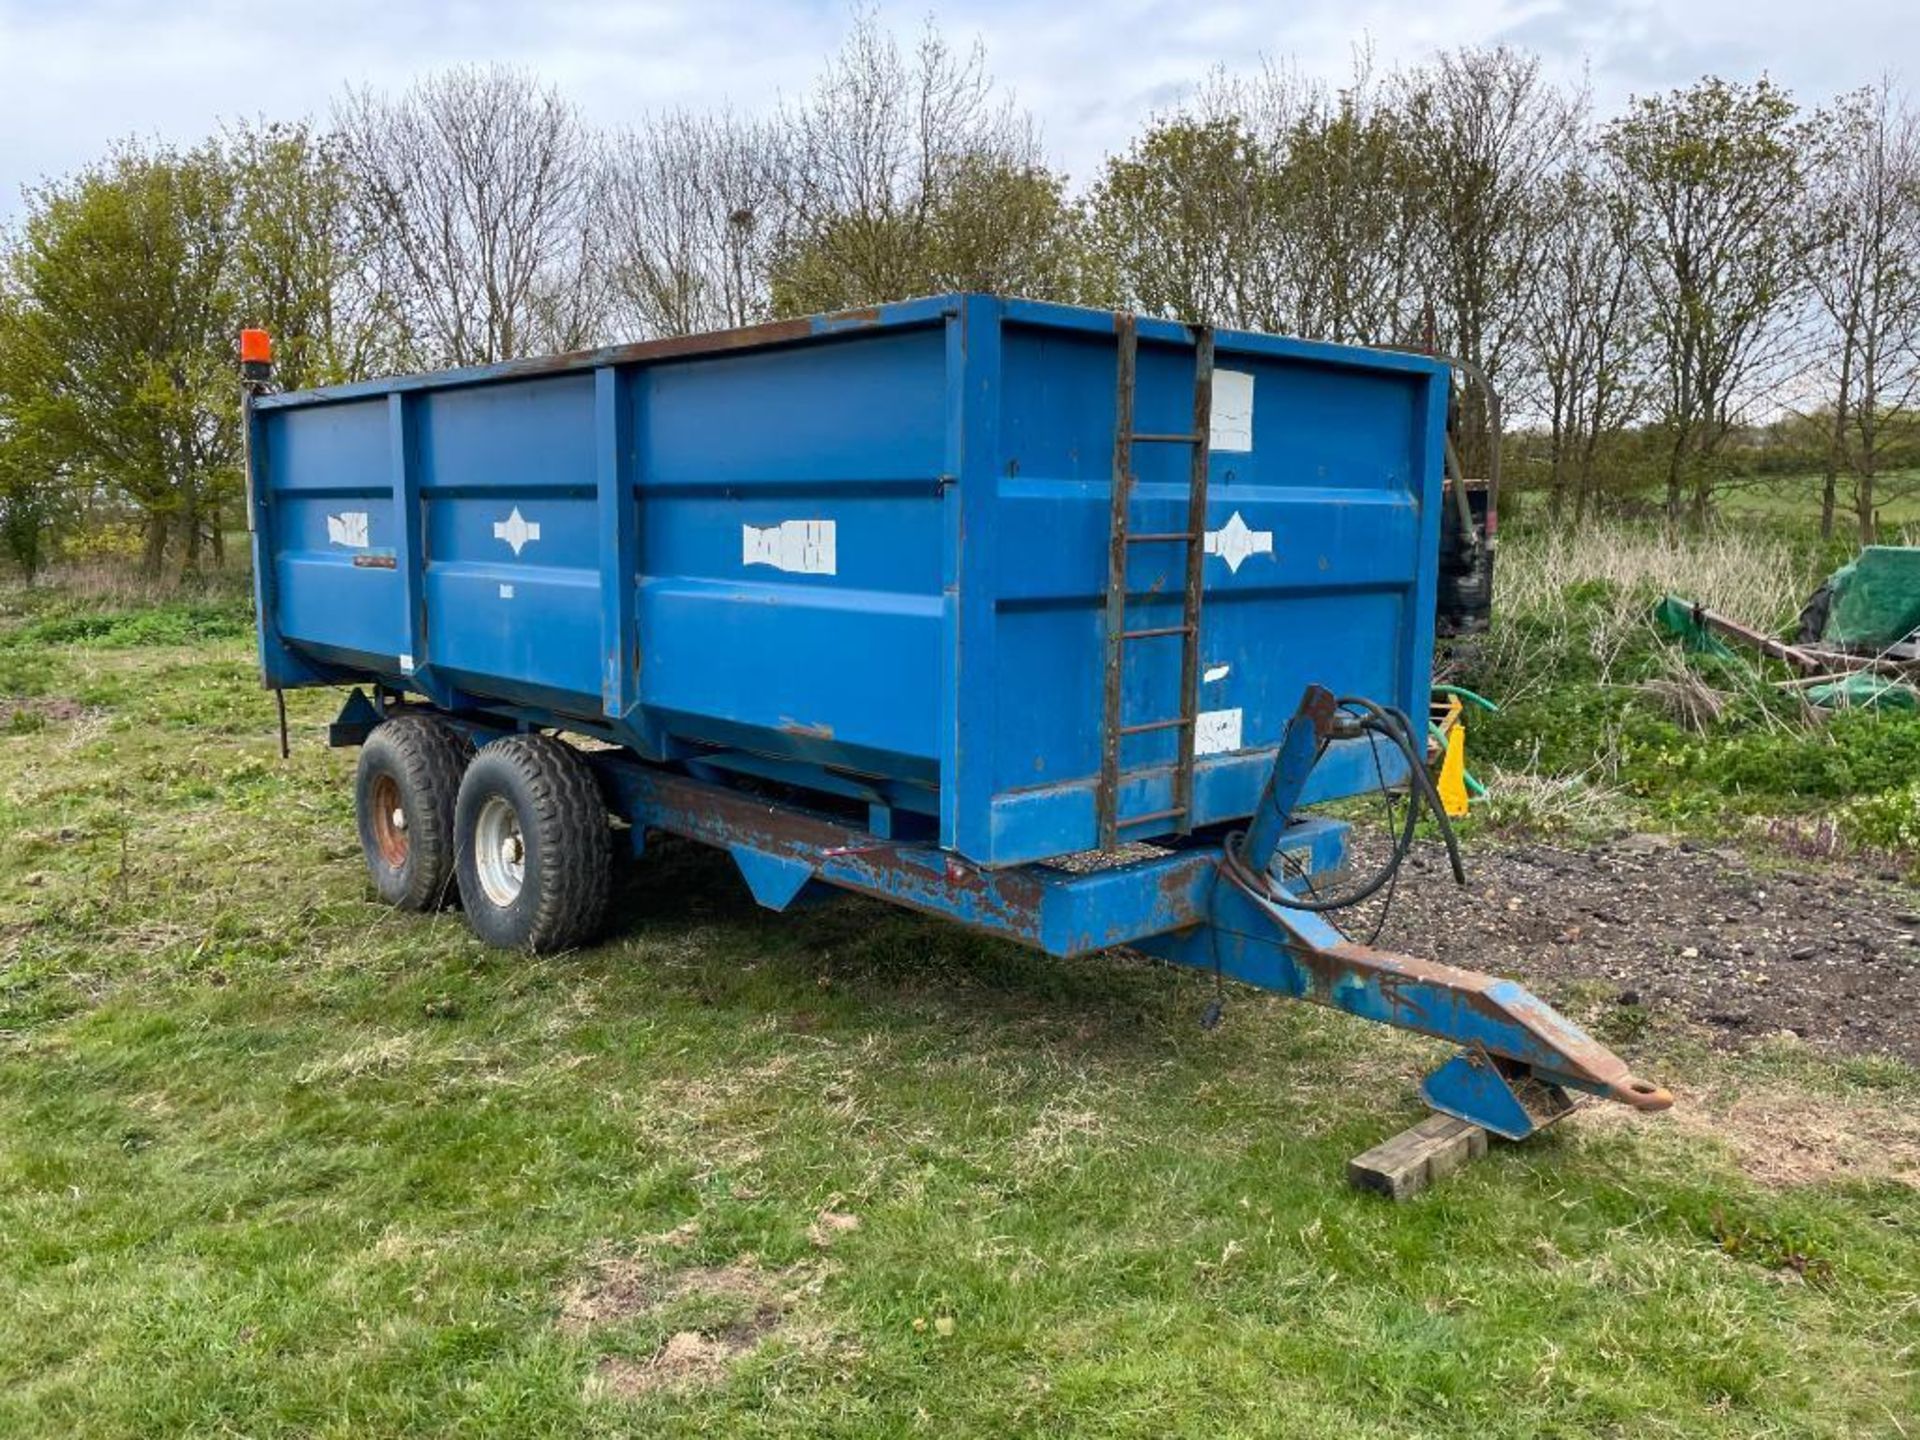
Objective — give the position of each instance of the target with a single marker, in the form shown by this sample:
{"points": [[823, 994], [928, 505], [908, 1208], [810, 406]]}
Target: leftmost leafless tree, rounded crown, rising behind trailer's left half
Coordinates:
{"points": [[481, 187]]}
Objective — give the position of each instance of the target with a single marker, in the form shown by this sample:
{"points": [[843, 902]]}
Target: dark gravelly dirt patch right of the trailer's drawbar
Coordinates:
{"points": [[1679, 932]]}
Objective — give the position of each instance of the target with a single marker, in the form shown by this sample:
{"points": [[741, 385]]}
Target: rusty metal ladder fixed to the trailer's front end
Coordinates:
{"points": [[1120, 546]]}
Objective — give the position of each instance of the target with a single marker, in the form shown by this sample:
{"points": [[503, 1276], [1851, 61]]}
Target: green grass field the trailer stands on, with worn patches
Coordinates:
{"points": [[276, 1161]]}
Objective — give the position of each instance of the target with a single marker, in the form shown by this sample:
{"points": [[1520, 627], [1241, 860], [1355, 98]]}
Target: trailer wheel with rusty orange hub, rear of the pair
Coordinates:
{"points": [[410, 775]]}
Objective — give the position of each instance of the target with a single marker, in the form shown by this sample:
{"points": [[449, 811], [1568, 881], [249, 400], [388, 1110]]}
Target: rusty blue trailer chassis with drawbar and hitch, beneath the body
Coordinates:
{"points": [[1518, 1061]]}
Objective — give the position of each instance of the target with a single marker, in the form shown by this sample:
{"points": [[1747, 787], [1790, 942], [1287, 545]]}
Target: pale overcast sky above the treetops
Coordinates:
{"points": [[78, 74]]}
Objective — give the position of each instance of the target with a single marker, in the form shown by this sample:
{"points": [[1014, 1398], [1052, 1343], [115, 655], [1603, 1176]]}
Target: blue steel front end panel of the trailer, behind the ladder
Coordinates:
{"points": [[1339, 491]]}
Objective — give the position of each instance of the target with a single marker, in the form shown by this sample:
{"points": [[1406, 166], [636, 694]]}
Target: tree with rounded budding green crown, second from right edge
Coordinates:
{"points": [[1716, 178]]}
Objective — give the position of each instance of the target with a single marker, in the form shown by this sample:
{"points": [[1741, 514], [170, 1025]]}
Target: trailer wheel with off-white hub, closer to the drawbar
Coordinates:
{"points": [[535, 852]]}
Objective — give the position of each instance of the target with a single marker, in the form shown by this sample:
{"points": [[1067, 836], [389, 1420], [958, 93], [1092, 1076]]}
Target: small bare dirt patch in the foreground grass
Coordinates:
{"points": [[742, 1305]]}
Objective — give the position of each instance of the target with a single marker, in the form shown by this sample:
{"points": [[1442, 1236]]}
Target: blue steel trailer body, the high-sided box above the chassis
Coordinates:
{"points": [[873, 554]]}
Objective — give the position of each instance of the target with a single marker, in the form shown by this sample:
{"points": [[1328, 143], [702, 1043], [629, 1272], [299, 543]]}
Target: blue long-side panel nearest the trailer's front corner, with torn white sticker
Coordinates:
{"points": [[823, 660]]}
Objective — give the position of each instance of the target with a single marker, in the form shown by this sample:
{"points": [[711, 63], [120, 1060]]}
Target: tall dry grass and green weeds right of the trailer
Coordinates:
{"points": [[1602, 706]]}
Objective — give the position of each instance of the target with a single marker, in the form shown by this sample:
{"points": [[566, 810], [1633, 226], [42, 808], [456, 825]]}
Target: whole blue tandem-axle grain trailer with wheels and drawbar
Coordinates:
{"points": [[915, 602]]}
